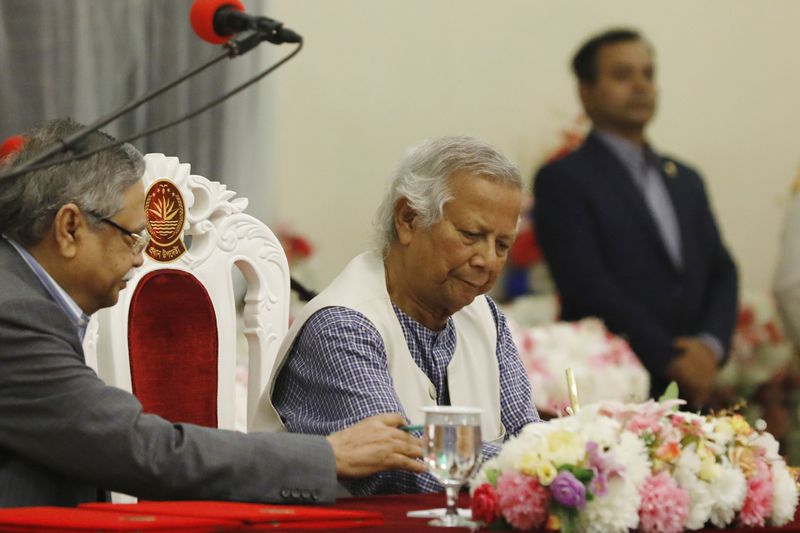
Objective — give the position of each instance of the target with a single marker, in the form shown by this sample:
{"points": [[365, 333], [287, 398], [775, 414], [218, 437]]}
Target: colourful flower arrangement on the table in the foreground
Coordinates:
{"points": [[616, 467]]}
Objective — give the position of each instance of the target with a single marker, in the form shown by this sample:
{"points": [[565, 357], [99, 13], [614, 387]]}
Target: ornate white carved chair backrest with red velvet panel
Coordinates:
{"points": [[171, 339]]}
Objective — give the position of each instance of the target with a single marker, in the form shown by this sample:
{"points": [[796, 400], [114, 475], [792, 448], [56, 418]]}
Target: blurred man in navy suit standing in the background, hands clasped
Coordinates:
{"points": [[629, 234]]}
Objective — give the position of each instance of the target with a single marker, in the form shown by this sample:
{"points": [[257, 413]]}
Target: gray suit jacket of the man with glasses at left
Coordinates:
{"points": [[65, 435]]}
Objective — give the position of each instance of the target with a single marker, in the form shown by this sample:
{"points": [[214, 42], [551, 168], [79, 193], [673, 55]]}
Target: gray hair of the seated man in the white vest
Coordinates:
{"points": [[422, 178]]}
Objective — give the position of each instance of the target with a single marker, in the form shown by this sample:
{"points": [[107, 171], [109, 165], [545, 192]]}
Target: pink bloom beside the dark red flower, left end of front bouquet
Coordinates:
{"points": [[523, 502]]}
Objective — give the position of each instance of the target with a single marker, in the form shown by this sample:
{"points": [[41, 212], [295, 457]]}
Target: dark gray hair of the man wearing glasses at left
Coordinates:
{"points": [[29, 202]]}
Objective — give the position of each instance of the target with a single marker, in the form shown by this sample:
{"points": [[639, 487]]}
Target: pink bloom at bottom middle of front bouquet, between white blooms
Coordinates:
{"points": [[665, 506]]}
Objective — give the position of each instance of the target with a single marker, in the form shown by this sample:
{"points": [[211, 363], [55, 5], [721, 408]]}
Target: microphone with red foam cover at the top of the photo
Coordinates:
{"points": [[215, 21]]}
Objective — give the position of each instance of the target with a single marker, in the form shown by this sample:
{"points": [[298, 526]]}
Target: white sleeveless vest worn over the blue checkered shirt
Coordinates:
{"points": [[473, 375]]}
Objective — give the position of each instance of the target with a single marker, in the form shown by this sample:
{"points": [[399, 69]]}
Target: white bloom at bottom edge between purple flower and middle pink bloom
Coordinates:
{"points": [[615, 512]]}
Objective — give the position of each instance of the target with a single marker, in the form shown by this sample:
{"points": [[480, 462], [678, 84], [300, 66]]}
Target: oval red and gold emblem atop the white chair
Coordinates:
{"points": [[164, 208]]}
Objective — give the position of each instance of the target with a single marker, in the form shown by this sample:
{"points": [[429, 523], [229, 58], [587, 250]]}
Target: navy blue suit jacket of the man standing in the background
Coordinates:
{"points": [[608, 259]]}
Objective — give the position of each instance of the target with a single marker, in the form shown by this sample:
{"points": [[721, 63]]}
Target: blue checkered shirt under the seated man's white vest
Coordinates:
{"points": [[337, 374]]}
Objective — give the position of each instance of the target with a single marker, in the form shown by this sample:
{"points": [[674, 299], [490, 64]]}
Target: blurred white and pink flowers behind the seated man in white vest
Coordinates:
{"points": [[605, 367]]}
